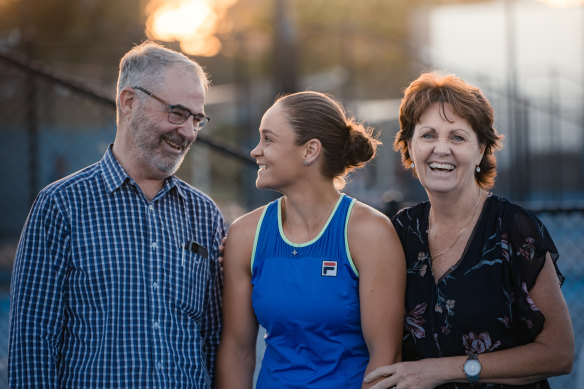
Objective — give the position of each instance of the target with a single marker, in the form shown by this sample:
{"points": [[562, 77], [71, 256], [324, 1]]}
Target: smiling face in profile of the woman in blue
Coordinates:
{"points": [[279, 159]]}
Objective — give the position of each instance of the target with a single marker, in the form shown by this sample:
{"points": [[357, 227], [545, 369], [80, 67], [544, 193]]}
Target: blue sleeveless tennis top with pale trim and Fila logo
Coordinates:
{"points": [[306, 296]]}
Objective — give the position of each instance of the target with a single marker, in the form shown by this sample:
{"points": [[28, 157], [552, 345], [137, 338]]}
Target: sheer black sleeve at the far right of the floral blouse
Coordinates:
{"points": [[529, 244]]}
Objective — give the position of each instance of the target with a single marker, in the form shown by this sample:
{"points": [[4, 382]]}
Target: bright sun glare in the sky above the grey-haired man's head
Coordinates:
{"points": [[193, 23]]}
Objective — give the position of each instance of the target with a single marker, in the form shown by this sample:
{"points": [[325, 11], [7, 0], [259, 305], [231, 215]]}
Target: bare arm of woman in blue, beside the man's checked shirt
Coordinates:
{"points": [[236, 358]]}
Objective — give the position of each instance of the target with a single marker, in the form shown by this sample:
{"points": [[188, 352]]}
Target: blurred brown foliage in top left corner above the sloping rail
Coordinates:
{"points": [[83, 39]]}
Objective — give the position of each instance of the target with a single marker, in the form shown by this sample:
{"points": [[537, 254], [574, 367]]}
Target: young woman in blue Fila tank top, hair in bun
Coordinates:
{"points": [[322, 272]]}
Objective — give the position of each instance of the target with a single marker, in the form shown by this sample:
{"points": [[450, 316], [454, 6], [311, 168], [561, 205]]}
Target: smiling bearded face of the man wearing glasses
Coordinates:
{"points": [[158, 147]]}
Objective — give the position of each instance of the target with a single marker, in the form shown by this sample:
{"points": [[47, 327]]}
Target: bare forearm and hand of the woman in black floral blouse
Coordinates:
{"points": [[551, 353]]}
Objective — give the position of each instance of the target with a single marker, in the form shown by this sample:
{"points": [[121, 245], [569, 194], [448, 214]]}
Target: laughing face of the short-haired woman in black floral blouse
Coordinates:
{"points": [[445, 152]]}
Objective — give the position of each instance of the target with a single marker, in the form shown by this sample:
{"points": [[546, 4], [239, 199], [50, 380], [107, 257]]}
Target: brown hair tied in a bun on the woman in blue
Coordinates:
{"points": [[347, 144]]}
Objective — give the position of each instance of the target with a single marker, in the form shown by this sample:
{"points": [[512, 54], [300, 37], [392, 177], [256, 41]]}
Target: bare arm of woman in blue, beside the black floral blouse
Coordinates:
{"points": [[379, 258]]}
